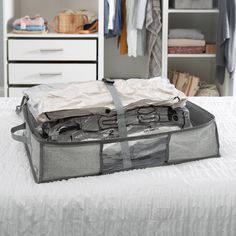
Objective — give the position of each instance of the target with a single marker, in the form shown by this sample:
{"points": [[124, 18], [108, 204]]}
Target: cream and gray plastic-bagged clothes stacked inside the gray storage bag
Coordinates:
{"points": [[85, 111]]}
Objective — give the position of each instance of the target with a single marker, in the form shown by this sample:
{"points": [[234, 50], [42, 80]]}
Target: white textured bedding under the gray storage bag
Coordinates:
{"points": [[197, 198]]}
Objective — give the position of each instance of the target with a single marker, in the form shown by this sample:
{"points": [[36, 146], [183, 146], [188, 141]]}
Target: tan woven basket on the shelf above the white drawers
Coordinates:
{"points": [[69, 23]]}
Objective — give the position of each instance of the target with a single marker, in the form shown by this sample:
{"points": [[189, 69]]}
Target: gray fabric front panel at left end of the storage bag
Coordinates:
{"points": [[68, 161]]}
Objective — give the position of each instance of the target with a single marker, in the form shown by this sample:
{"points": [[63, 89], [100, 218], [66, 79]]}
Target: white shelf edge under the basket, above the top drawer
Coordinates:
{"points": [[52, 35]]}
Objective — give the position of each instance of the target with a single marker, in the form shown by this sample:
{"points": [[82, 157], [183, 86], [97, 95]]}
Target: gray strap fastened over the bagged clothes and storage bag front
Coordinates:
{"points": [[121, 123]]}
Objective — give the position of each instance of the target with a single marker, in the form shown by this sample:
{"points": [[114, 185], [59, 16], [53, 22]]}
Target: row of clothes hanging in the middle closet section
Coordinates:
{"points": [[129, 21]]}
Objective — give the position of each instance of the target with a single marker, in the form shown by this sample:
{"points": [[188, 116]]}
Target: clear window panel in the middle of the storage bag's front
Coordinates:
{"points": [[145, 153]]}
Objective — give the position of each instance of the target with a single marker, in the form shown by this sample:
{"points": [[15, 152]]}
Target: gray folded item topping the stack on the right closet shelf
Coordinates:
{"points": [[186, 34]]}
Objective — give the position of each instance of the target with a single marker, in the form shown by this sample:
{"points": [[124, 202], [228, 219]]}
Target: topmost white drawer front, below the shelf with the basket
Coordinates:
{"points": [[52, 50]]}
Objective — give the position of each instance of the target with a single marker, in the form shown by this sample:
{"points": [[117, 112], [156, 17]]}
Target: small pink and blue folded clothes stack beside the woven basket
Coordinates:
{"points": [[30, 25]]}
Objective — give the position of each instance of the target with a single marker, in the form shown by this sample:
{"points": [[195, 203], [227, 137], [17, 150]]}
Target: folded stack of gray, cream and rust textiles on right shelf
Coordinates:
{"points": [[189, 41]]}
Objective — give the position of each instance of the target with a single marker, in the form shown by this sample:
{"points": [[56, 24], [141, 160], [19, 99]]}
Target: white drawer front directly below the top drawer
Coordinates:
{"points": [[50, 73]]}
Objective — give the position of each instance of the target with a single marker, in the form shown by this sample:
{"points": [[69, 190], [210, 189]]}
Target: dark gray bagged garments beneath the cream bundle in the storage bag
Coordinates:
{"points": [[152, 118]]}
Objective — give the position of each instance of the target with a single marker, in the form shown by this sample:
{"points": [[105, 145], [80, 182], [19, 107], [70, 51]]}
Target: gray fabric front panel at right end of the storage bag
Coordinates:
{"points": [[194, 144]]}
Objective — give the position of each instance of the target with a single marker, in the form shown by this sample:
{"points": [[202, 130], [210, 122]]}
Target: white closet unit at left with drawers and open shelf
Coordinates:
{"points": [[50, 58]]}
